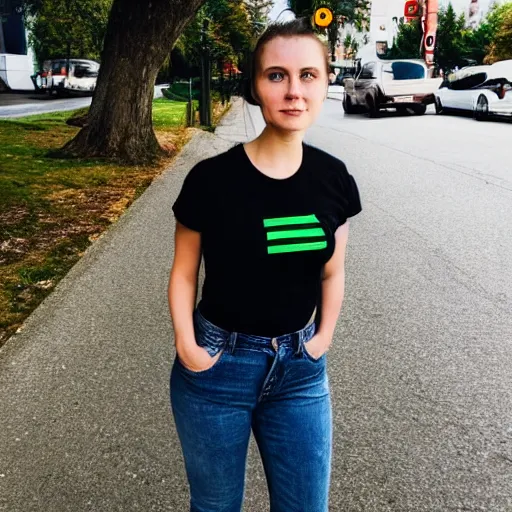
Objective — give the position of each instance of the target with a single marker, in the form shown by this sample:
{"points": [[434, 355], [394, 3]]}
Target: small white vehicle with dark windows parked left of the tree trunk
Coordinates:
{"points": [[60, 78]]}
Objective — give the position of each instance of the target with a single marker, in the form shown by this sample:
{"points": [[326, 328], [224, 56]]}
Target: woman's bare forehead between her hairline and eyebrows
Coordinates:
{"points": [[291, 52]]}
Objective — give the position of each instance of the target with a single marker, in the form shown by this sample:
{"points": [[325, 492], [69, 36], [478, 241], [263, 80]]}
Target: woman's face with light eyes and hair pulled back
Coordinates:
{"points": [[291, 82]]}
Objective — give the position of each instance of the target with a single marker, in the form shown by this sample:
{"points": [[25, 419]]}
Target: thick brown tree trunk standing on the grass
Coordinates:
{"points": [[138, 38]]}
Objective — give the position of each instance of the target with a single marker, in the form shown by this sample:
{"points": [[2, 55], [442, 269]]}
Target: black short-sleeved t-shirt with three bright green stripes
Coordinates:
{"points": [[264, 240]]}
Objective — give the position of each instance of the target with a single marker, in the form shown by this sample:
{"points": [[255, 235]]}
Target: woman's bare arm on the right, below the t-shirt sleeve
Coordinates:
{"points": [[333, 289]]}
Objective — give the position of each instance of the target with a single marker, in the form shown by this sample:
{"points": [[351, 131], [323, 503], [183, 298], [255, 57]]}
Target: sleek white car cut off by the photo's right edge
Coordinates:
{"points": [[482, 90]]}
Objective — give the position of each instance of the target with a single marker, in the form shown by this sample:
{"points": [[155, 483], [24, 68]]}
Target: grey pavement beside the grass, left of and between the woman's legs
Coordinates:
{"points": [[85, 421]]}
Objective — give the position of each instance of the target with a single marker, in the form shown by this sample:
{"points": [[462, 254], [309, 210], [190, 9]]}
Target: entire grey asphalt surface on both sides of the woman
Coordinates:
{"points": [[420, 370]]}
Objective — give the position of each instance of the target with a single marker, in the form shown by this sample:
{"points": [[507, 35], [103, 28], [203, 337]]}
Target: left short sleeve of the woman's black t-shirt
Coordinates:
{"points": [[190, 208]]}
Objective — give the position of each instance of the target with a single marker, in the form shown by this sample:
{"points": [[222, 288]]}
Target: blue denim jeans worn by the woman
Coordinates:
{"points": [[272, 386]]}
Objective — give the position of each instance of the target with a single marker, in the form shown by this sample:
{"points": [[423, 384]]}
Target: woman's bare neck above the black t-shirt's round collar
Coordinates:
{"points": [[276, 154]]}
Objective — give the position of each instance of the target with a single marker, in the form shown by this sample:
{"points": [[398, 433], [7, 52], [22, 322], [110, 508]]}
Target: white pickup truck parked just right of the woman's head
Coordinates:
{"points": [[399, 84]]}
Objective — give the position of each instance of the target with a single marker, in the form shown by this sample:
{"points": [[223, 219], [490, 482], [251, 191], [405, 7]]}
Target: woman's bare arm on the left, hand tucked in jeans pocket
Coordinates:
{"points": [[182, 294]]}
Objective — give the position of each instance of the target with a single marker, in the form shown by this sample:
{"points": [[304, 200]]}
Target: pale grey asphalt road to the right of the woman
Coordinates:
{"points": [[422, 369]]}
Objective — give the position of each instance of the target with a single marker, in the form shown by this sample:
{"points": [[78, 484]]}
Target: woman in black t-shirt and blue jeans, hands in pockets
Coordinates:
{"points": [[270, 218]]}
